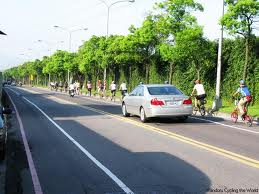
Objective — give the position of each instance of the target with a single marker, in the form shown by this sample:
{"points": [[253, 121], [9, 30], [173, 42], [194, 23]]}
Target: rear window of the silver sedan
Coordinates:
{"points": [[164, 90]]}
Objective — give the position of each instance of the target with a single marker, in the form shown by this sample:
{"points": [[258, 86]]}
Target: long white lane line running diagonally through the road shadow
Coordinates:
{"points": [[90, 156]]}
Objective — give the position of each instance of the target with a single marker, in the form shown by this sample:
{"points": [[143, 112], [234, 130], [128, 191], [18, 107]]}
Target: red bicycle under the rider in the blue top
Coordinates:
{"points": [[246, 118]]}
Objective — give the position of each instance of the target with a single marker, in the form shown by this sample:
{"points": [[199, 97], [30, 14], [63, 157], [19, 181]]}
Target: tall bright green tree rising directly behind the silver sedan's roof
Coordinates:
{"points": [[174, 17]]}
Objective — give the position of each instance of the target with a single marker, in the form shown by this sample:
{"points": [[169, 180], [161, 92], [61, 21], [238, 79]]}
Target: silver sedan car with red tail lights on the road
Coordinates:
{"points": [[157, 100]]}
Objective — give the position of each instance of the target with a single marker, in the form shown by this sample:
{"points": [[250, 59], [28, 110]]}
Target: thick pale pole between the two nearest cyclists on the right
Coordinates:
{"points": [[217, 102]]}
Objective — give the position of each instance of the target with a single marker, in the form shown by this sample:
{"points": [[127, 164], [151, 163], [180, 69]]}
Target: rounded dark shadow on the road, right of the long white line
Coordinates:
{"points": [[143, 172]]}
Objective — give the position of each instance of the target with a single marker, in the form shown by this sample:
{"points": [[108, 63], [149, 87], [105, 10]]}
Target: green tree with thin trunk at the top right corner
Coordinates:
{"points": [[240, 19]]}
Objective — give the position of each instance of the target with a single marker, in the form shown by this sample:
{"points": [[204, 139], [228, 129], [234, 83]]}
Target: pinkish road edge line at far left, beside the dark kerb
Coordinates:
{"points": [[35, 179]]}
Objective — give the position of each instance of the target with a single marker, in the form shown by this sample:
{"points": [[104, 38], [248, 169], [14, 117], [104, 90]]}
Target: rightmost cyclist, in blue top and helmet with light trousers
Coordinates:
{"points": [[245, 97]]}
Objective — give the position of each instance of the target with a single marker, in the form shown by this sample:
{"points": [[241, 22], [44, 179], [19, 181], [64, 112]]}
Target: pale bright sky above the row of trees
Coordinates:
{"points": [[27, 21]]}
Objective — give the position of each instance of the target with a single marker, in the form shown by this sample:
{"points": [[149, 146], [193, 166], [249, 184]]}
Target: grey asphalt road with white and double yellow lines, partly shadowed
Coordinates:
{"points": [[82, 145]]}
